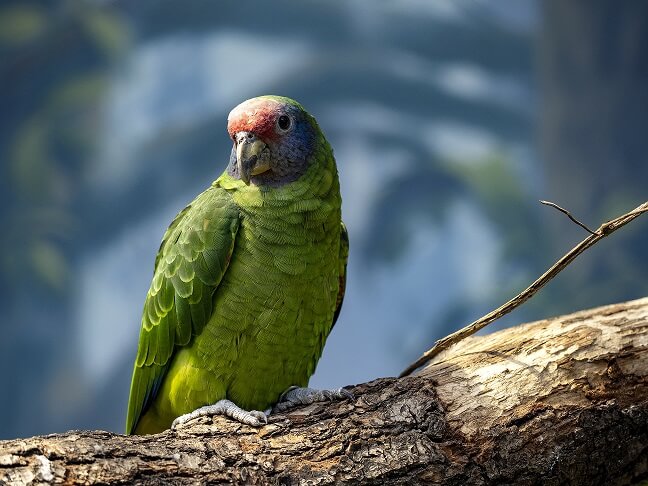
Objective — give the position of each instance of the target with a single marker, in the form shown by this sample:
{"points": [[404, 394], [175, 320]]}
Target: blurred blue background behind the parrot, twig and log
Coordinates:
{"points": [[449, 120]]}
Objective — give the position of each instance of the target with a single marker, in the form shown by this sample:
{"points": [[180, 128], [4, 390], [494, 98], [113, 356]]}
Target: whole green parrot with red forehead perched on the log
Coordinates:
{"points": [[248, 282]]}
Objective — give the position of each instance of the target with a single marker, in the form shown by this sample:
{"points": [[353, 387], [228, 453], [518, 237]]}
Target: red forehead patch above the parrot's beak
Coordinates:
{"points": [[257, 115]]}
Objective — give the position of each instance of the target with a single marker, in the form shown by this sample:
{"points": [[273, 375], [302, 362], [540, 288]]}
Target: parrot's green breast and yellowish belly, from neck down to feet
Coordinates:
{"points": [[274, 308]]}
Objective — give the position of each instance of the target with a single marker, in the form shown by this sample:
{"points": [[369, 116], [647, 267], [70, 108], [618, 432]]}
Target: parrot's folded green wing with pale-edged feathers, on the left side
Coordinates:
{"points": [[192, 260]]}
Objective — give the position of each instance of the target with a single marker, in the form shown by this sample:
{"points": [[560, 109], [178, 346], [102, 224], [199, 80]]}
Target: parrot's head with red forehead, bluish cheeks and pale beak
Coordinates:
{"points": [[274, 139]]}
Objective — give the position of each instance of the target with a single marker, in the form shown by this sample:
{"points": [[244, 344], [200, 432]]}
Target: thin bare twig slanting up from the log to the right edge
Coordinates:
{"points": [[604, 230]]}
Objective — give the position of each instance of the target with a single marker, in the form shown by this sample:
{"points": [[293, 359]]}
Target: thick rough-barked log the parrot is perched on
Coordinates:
{"points": [[560, 401]]}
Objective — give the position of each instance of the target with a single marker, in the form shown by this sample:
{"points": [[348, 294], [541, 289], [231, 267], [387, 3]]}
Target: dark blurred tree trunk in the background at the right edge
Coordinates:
{"points": [[594, 113]]}
